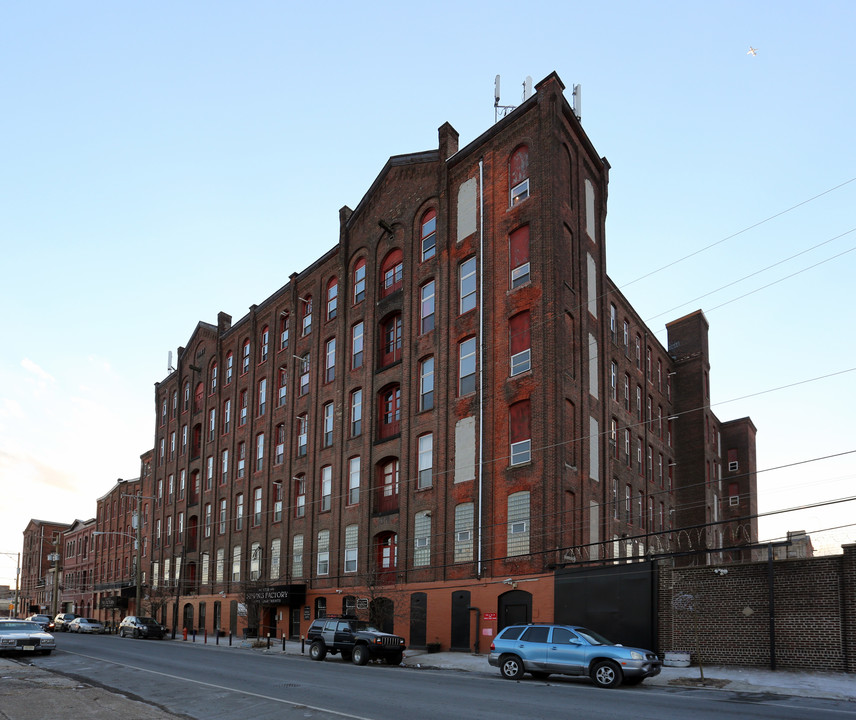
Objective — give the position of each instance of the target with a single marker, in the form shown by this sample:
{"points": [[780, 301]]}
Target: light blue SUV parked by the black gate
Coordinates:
{"points": [[542, 650]]}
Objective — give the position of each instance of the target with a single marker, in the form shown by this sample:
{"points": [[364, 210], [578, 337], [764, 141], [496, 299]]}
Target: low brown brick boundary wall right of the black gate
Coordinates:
{"points": [[724, 612]]}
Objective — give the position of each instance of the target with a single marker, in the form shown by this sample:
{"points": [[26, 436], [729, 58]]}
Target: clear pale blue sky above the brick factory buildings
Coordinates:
{"points": [[166, 161]]}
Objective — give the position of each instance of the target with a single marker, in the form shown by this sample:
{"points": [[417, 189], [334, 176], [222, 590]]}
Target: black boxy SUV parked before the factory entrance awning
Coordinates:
{"points": [[356, 639]]}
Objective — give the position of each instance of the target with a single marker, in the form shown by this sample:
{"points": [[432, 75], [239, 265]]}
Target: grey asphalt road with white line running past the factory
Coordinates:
{"points": [[207, 682]]}
